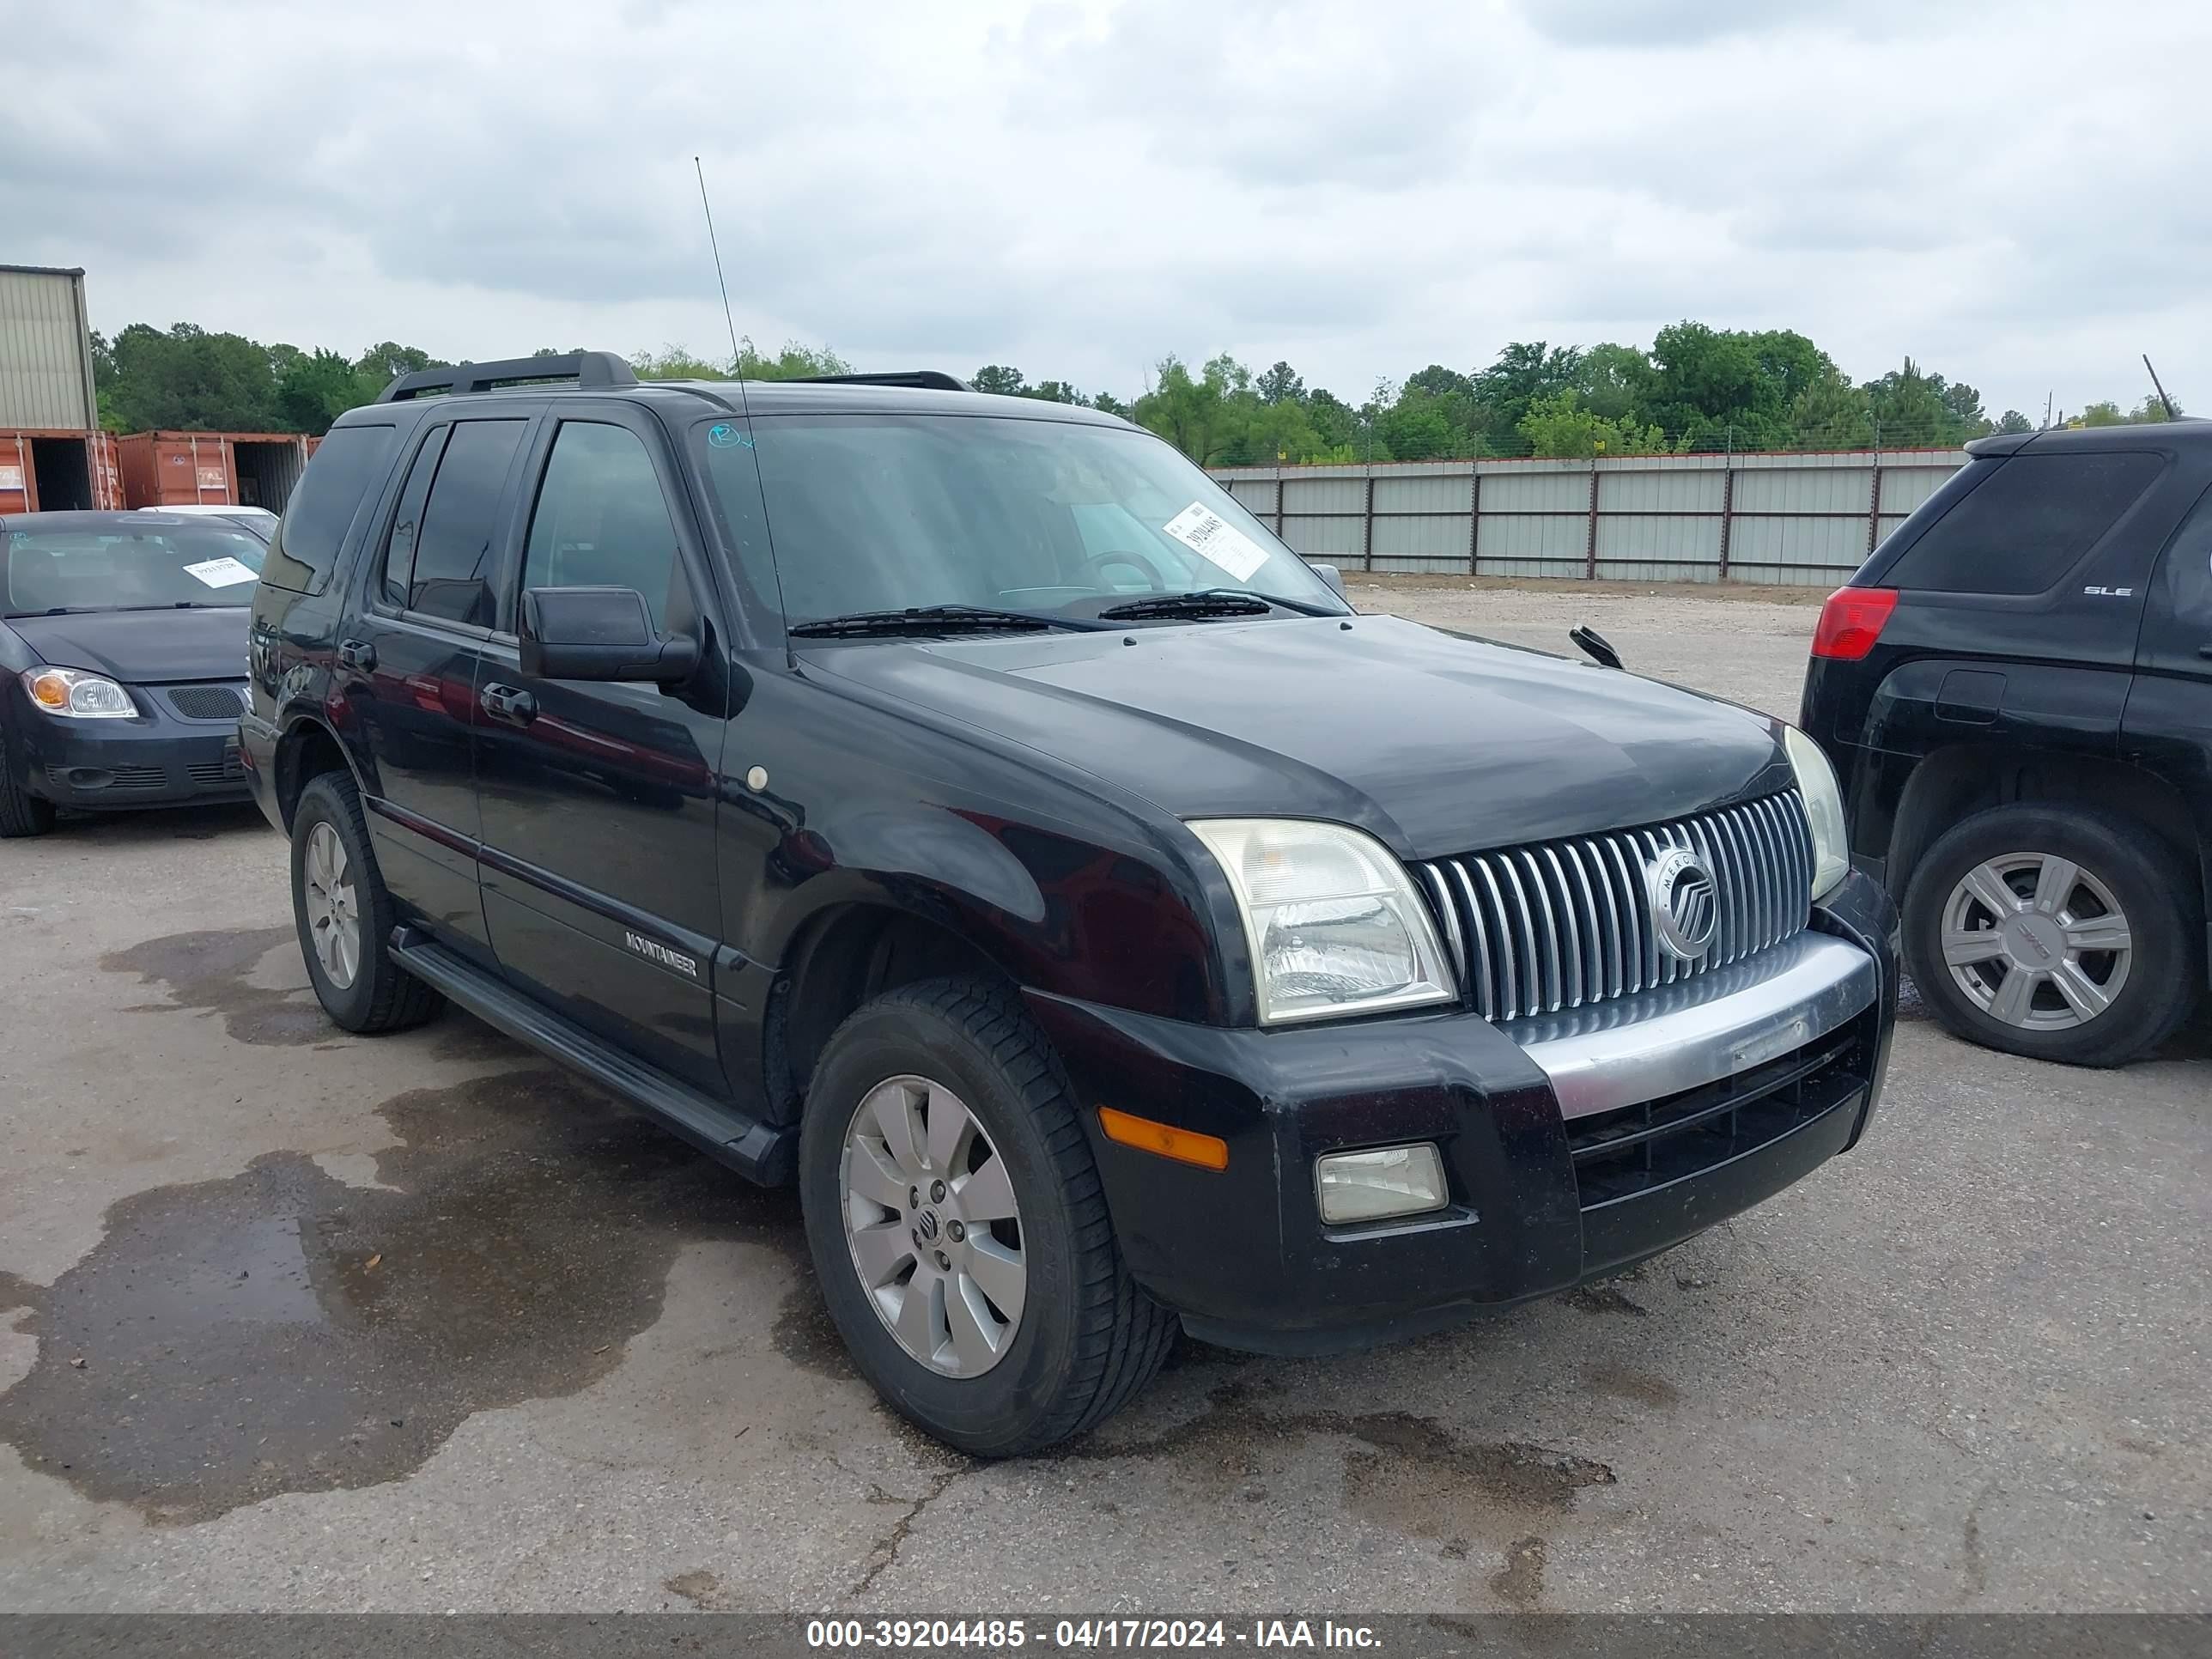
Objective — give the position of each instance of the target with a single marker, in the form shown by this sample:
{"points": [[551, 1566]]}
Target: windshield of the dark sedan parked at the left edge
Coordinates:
{"points": [[114, 567]]}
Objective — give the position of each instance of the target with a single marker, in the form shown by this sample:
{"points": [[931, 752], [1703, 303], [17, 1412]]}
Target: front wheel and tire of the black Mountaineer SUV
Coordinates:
{"points": [[941, 1107]]}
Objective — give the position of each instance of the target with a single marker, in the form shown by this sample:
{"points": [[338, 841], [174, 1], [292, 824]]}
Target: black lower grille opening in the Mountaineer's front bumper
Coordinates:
{"points": [[1647, 1147]]}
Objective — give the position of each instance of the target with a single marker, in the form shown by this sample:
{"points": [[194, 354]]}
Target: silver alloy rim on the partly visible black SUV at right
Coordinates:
{"points": [[2036, 941]]}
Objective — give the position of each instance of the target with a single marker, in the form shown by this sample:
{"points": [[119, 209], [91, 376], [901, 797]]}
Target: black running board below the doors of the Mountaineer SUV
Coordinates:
{"points": [[758, 1151]]}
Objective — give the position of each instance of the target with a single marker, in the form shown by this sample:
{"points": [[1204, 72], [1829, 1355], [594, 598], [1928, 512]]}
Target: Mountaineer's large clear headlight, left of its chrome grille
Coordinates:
{"points": [[1333, 919]]}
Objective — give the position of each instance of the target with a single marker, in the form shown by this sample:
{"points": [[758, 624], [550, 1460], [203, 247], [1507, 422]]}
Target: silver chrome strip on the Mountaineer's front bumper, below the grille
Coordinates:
{"points": [[1702, 1030]]}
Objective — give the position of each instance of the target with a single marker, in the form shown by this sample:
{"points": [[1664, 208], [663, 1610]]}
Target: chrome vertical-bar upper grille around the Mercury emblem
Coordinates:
{"points": [[1567, 924]]}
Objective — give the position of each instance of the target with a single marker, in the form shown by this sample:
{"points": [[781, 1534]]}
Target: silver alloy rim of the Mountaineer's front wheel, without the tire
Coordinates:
{"points": [[932, 1224]]}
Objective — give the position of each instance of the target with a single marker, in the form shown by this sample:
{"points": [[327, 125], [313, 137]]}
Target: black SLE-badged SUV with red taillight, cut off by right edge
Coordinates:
{"points": [[2018, 696]]}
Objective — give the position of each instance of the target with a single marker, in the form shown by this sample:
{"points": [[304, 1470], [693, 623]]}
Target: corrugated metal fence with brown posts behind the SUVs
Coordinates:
{"points": [[1638, 519]]}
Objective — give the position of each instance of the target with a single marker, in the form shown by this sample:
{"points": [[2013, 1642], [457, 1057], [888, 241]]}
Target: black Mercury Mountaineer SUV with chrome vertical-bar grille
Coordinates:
{"points": [[963, 808]]}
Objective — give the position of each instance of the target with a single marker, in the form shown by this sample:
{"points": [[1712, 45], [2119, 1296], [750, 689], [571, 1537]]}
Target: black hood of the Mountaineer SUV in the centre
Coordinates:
{"points": [[1434, 742]]}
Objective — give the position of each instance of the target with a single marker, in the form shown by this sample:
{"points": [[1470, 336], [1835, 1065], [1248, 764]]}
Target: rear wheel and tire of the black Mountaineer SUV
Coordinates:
{"points": [[364, 990]]}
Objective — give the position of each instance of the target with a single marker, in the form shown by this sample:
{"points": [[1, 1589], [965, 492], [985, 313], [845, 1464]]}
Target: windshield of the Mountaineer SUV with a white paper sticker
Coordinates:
{"points": [[881, 512]]}
